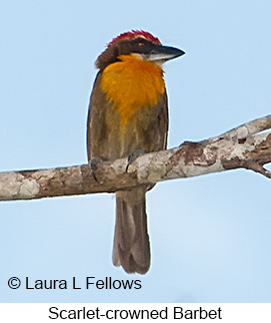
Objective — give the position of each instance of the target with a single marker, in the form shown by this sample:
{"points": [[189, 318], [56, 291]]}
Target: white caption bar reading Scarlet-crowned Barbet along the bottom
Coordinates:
{"points": [[125, 312]]}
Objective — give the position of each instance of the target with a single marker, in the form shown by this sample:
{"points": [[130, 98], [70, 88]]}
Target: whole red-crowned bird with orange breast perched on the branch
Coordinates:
{"points": [[127, 116]]}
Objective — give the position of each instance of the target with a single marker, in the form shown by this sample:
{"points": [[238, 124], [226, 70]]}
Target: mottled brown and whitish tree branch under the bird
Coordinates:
{"points": [[241, 147]]}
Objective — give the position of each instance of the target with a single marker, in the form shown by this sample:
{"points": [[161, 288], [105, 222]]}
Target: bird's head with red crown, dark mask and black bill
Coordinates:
{"points": [[138, 43]]}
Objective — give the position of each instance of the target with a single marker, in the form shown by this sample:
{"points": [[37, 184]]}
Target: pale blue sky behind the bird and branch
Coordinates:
{"points": [[210, 235]]}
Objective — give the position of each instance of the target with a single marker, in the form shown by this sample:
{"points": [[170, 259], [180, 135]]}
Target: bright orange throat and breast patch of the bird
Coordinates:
{"points": [[131, 84]]}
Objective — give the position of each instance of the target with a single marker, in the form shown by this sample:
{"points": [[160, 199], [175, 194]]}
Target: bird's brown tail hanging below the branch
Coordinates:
{"points": [[131, 244]]}
